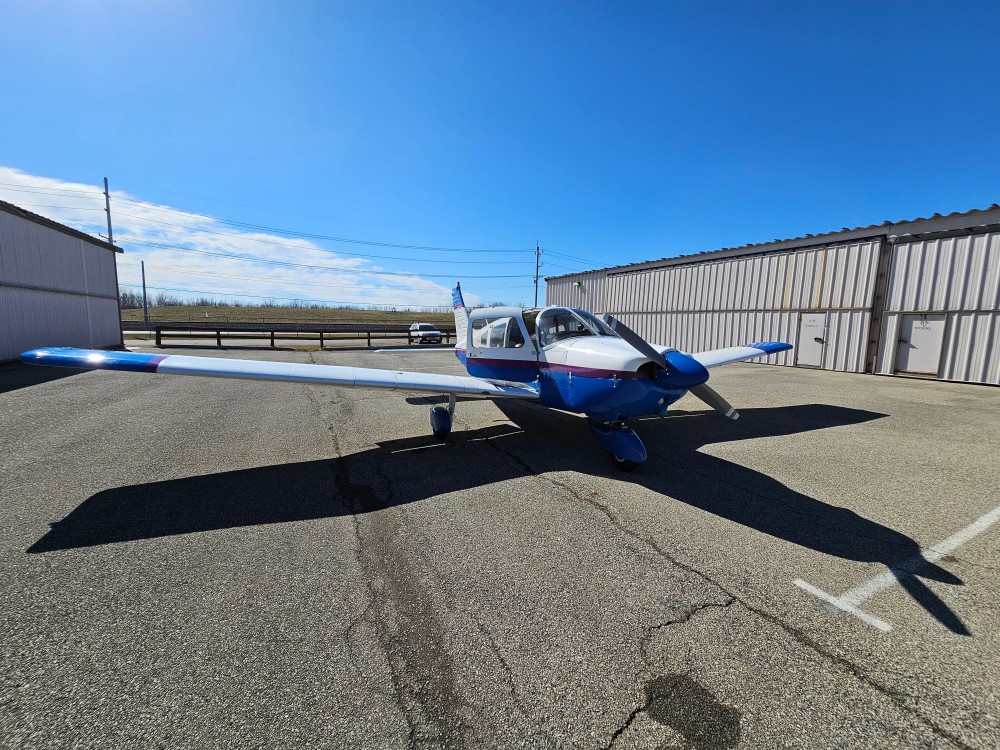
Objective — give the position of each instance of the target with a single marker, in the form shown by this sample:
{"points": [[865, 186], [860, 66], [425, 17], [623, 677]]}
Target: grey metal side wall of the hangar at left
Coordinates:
{"points": [[55, 289]]}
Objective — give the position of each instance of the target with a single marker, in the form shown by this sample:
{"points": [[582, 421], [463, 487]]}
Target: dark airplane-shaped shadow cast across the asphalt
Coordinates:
{"points": [[414, 469]]}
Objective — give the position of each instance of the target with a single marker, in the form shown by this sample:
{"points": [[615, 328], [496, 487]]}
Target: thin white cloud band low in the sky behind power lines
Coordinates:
{"points": [[167, 239]]}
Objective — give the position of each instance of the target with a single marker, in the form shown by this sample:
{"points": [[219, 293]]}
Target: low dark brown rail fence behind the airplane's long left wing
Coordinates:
{"points": [[302, 330]]}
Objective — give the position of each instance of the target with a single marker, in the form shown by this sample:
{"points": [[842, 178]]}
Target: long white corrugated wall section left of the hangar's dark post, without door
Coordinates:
{"points": [[736, 301]]}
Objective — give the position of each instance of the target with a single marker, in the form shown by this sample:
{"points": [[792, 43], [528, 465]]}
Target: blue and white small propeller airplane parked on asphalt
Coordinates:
{"points": [[559, 357]]}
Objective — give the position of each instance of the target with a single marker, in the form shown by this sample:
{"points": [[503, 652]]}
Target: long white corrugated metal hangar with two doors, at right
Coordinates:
{"points": [[918, 297]]}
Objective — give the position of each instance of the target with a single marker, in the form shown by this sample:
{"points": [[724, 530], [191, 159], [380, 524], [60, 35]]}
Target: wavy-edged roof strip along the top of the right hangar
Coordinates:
{"points": [[976, 220]]}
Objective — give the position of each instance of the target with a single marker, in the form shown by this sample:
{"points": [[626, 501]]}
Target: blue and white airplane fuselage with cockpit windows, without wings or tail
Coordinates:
{"points": [[575, 365]]}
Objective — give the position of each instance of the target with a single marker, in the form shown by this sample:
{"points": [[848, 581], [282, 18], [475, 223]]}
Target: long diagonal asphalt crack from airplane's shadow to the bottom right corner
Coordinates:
{"points": [[896, 697]]}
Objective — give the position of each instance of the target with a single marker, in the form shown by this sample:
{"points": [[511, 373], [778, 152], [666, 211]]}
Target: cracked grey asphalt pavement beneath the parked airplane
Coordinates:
{"points": [[206, 563]]}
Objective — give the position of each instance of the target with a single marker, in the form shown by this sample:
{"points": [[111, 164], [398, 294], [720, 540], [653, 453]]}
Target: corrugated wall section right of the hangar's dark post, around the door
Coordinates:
{"points": [[958, 276]]}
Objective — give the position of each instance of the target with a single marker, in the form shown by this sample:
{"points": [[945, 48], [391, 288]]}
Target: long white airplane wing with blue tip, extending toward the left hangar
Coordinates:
{"points": [[351, 377]]}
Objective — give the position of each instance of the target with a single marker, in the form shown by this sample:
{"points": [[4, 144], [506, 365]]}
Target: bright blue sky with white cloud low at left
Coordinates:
{"points": [[608, 132]]}
